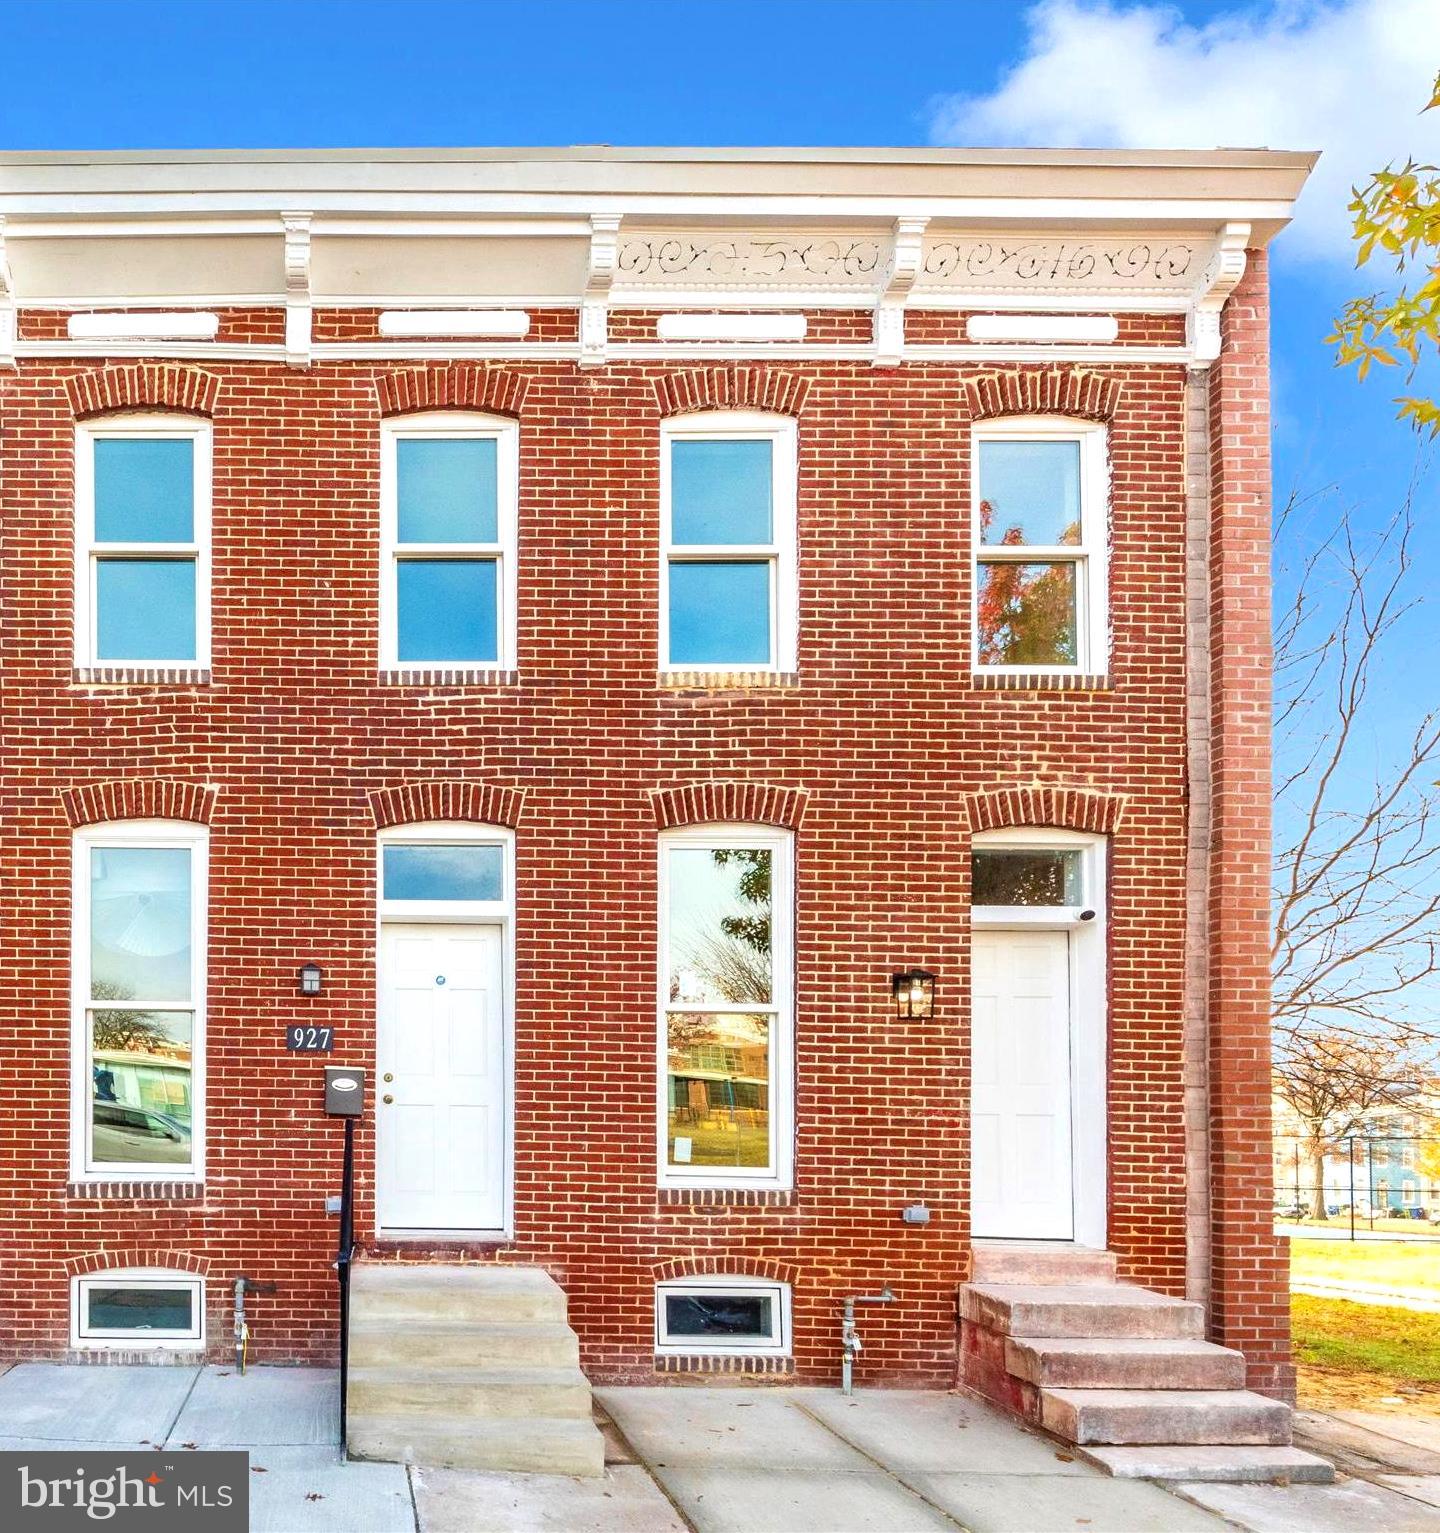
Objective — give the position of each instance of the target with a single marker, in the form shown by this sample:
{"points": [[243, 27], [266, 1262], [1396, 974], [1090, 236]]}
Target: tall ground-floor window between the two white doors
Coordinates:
{"points": [[726, 1008]]}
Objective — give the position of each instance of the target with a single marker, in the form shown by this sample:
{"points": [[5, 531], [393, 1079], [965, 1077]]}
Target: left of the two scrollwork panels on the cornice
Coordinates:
{"points": [[712, 261]]}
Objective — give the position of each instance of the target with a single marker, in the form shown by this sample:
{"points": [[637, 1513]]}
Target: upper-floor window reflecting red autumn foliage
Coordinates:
{"points": [[1041, 533]]}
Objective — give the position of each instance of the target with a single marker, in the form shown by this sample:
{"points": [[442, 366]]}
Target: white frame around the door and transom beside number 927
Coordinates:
{"points": [[467, 913]]}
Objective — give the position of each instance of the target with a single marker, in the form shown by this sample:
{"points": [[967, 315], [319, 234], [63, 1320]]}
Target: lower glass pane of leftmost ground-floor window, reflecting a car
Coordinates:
{"points": [[140, 1086]]}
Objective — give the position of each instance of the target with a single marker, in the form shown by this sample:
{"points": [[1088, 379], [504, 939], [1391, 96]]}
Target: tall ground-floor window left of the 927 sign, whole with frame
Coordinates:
{"points": [[140, 1002]]}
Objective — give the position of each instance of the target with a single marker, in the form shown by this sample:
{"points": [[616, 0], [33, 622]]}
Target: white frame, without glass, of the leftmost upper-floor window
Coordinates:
{"points": [[88, 553]]}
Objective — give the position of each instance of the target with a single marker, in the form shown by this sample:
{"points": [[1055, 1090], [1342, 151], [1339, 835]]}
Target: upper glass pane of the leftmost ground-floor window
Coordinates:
{"points": [[140, 924]]}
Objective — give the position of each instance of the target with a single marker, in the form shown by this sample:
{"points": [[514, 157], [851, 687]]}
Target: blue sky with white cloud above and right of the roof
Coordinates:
{"points": [[1344, 76]]}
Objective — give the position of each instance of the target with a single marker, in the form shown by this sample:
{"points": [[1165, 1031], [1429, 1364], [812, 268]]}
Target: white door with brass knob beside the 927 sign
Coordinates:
{"points": [[441, 1111]]}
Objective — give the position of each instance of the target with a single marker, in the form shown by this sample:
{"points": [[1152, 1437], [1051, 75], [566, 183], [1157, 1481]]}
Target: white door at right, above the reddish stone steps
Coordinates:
{"points": [[1022, 1167]]}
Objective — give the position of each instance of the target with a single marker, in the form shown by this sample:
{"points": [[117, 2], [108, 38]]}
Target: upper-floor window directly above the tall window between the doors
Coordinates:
{"points": [[728, 530]]}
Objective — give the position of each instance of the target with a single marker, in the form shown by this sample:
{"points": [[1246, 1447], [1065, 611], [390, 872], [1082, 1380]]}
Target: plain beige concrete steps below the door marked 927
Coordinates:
{"points": [[468, 1367]]}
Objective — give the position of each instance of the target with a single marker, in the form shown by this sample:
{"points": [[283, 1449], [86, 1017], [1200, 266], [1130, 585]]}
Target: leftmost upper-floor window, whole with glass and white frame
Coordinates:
{"points": [[143, 542]]}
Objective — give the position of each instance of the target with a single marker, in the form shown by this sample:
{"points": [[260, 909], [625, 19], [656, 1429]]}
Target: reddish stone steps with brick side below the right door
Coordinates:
{"points": [[1120, 1371]]}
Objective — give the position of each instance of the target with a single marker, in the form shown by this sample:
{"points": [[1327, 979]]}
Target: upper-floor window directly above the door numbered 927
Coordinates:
{"points": [[449, 493]]}
